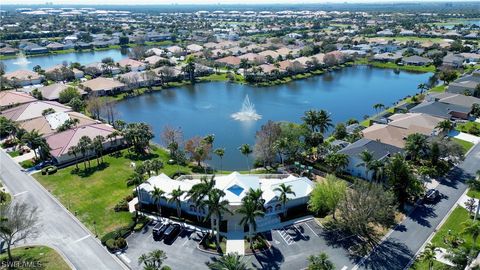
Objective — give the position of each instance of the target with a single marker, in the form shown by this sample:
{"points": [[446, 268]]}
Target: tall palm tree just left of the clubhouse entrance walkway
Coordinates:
{"points": [[216, 207]]}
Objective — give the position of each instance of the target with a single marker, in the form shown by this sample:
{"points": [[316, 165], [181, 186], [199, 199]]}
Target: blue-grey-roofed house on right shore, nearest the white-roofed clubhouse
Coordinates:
{"points": [[379, 150]]}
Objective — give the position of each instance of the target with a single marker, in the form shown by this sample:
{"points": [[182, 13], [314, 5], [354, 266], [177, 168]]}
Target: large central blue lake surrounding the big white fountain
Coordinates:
{"points": [[206, 108]]}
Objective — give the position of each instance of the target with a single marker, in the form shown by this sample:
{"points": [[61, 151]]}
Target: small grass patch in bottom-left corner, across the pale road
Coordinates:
{"points": [[47, 257]]}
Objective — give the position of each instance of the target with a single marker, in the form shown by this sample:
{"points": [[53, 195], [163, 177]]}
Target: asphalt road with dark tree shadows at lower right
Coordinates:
{"points": [[406, 240]]}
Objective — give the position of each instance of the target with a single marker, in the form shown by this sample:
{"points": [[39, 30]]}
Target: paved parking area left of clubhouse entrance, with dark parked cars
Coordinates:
{"points": [[182, 253]]}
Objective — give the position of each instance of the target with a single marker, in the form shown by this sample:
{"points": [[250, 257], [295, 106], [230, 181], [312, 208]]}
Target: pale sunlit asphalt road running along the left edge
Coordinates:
{"points": [[58, 228]]}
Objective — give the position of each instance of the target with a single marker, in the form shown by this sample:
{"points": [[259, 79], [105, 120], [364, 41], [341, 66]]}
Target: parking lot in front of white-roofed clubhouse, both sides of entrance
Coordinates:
{"points": [[291, 245]]}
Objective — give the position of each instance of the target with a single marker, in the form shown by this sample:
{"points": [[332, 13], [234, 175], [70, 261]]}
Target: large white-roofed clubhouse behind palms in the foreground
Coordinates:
{"points": [[235, 186]]}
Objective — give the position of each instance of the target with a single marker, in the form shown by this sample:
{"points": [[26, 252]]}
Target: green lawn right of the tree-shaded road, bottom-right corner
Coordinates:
{"points": [[454, 223]]}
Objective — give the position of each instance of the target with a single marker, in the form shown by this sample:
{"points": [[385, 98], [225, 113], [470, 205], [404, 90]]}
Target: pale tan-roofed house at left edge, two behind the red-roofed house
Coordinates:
{"points": [[33, 110]]}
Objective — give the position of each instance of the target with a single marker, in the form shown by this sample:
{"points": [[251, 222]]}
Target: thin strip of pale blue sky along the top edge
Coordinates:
{"points": [[143, 2]]}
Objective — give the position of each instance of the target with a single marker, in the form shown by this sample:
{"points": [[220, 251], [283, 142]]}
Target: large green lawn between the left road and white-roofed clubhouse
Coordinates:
{"points": [[92, 195]]}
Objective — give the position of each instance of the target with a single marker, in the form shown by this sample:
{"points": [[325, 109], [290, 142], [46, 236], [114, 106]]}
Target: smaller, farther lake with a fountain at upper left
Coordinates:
{"points": [[46, 61]]}
